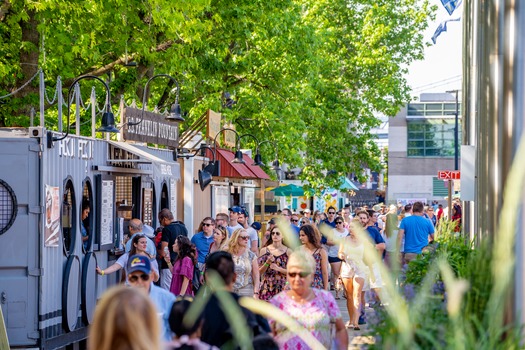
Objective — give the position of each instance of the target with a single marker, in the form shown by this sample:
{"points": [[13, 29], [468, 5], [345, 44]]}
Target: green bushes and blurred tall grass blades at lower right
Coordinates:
{"points": [[469, 312]]}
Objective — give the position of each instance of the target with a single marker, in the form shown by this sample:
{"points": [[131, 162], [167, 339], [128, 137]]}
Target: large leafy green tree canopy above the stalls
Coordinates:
{"points": [[308, 75]]}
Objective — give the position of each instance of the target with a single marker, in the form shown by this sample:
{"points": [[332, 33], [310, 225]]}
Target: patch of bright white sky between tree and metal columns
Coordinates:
{"points": [[441, 68]]}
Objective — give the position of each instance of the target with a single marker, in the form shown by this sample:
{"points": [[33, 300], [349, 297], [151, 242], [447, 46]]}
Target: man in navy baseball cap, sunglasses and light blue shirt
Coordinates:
{"points": [[140, 276]]}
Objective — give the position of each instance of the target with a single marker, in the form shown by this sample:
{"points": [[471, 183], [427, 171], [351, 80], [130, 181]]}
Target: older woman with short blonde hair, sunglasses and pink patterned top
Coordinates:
{"points": [[315, 309]]}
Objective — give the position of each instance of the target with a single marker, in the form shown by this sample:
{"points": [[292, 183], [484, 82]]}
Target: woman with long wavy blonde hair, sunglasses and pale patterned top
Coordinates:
{"points": [[246, 267]]}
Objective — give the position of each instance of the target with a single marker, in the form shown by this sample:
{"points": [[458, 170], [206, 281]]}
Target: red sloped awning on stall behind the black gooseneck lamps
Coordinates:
{"points": [[237, 170]]}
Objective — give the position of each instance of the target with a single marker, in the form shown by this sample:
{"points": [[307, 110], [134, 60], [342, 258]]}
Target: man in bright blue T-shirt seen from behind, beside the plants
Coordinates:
{"points": [[417, 231]]}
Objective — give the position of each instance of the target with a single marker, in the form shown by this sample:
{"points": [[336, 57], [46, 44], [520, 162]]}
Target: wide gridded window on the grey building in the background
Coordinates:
{"points": [[431, 137]]}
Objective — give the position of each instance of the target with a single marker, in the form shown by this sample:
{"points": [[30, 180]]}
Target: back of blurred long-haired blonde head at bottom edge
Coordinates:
{"points": [[125, 319]]}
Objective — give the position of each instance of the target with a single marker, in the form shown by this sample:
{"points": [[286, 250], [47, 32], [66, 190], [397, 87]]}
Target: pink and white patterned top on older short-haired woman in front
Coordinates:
{"points": [[317, 316]]}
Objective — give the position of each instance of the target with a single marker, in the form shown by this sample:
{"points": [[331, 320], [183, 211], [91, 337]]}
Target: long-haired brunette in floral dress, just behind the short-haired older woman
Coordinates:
{"points": [[310, 237]]}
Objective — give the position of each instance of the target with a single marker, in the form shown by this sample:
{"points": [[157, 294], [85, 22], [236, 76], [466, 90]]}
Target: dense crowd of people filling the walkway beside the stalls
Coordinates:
{"points": [[333, 254]]}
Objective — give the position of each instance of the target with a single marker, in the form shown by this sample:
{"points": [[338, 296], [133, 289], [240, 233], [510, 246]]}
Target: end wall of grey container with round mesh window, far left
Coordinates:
{"points": [[19, 241]]}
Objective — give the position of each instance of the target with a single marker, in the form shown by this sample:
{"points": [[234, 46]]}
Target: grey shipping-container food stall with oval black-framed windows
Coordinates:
{"points": [[49, 245]]}
